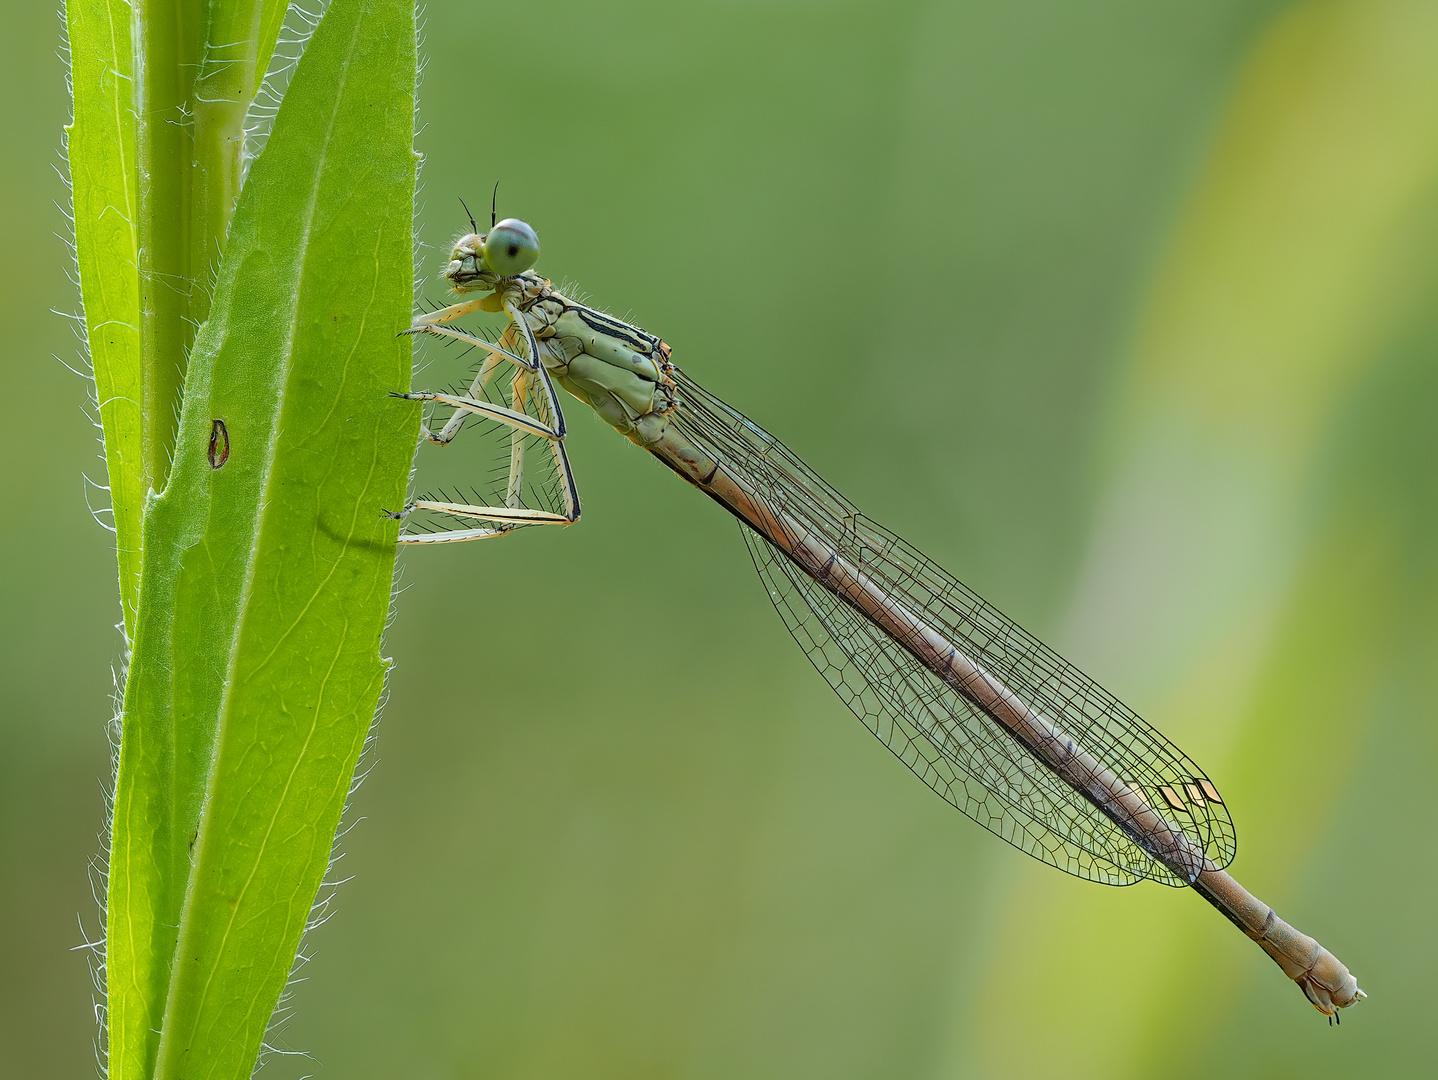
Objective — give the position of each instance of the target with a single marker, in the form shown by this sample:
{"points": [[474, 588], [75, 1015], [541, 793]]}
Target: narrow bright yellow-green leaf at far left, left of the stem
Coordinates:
{"points": [[101, 147]]}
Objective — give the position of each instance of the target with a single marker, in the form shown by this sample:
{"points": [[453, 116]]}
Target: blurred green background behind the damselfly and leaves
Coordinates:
{"points": [[1124, 311]]}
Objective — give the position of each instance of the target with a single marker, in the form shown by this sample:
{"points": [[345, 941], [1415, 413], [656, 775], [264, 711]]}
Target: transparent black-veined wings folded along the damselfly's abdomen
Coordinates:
{"points": [[948, 741]]}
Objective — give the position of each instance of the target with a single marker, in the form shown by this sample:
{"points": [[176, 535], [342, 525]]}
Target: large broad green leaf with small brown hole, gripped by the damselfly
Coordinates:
{"points": [[267, 579]]}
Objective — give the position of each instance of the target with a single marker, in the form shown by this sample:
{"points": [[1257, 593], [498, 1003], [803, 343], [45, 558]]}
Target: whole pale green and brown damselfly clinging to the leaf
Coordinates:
{"points": [[987, 715]]}
